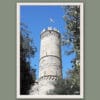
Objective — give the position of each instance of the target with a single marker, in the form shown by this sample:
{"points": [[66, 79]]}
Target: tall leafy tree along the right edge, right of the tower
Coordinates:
{"points": [[72, 37]]}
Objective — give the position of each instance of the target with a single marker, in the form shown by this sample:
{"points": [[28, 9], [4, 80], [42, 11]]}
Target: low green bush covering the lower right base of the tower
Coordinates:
{"points": [[68, 86]]}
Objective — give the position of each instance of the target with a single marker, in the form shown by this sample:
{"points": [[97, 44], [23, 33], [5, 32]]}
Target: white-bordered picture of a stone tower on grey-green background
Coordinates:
{"points": [[50, 50]]}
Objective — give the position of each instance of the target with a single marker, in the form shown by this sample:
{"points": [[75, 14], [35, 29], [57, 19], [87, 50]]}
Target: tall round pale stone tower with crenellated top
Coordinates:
{"points": [[50, 67]]}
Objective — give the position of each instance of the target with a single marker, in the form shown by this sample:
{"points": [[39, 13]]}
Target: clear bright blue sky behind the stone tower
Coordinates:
{"points": [[39, 17]]}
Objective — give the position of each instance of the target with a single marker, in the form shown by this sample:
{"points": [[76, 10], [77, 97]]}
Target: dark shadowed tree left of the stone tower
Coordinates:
{"points": [[27, 50]]}
